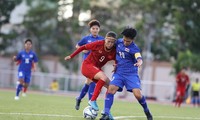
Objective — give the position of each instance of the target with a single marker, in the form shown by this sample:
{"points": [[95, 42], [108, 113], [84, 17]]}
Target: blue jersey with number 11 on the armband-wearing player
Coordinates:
{"points": [[126, 57]]}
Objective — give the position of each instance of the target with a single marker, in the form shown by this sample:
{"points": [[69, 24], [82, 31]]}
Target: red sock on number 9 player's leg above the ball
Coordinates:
{"points": [[97, 89]]}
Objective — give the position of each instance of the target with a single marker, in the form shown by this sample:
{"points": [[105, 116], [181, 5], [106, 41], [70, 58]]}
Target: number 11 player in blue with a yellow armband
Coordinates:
{"points": [[128, 60]]}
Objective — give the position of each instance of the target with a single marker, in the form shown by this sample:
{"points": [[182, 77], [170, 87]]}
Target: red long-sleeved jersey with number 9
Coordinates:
{"points": [[98, 55]]}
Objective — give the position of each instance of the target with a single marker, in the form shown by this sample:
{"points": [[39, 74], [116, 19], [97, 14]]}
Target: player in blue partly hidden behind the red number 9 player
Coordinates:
{"points": [[93, 36]]}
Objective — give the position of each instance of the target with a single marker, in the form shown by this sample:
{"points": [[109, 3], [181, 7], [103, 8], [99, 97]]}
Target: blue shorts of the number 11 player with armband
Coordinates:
{"points": [[130, 81]]}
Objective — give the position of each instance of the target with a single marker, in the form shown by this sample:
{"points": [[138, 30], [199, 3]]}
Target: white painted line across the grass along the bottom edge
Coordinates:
{"points": [[117, 117]]}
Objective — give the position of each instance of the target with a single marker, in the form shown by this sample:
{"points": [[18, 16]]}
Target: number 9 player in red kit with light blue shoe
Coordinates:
{"points": [[102, 51]]}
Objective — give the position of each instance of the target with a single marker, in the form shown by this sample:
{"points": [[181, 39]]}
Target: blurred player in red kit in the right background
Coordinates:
{"points": [[182, 81]]}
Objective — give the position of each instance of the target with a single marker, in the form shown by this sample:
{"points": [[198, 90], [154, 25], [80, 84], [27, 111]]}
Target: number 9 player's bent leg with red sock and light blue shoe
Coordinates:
{"points": [[102, 80]]}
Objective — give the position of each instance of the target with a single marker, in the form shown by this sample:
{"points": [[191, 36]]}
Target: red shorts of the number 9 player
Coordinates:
{"points": [[89, 71]]}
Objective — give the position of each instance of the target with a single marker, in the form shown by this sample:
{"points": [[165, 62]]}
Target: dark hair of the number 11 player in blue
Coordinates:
{"points": [[129, 32]]}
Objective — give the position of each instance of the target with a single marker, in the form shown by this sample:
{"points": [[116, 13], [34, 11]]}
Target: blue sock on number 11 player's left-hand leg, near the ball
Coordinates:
{"points": [[108, 103]]}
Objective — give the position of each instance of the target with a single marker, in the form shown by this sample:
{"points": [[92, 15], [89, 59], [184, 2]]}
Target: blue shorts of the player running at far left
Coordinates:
{"points": [[25, 76]]}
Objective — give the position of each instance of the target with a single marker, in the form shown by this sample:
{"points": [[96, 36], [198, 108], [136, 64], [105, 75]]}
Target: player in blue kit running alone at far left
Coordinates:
{"points": [[27, 62]]}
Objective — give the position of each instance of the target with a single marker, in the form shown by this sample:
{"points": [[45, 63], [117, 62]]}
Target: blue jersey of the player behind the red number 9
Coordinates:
{"points": [[88, 39]]}
